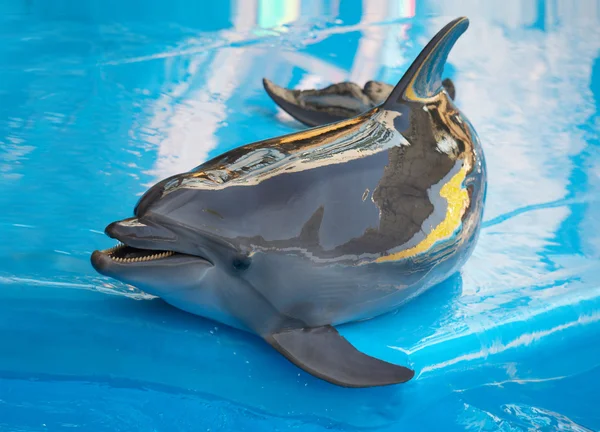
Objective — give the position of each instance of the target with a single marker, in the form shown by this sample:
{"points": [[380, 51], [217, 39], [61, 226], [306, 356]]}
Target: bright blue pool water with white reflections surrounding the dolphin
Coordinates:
{"points": [[99, 99]]}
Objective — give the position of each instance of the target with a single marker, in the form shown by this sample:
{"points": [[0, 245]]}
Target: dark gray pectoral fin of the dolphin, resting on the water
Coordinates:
{"points": [[324, 353]]}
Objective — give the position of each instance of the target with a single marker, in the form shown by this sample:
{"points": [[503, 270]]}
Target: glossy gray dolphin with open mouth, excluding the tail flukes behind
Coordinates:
{"points": [[290, 236]]}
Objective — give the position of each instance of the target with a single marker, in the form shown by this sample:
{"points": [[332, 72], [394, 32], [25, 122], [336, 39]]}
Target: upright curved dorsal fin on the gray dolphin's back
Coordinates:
{"points": [[423, 79]]}
